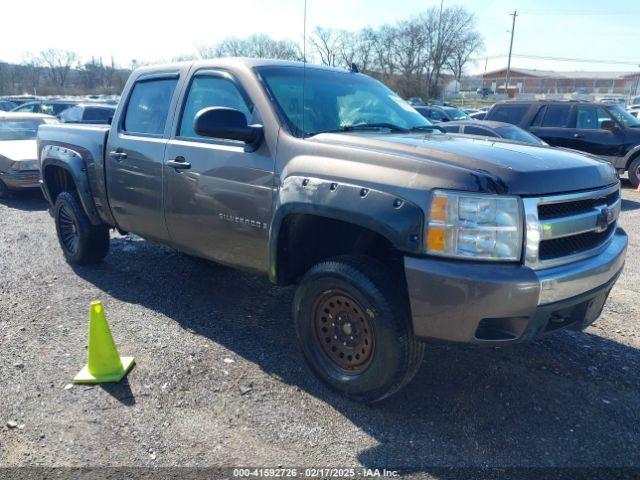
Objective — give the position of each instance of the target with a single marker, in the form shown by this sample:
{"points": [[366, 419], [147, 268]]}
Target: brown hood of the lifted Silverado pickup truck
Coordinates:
{"points": [[506, 166]]}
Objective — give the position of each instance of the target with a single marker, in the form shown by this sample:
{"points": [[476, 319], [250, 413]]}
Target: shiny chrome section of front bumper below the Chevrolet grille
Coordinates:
{"points": [[566, 281]]}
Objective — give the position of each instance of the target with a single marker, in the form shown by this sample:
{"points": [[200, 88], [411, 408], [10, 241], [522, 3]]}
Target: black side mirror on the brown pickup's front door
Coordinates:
{"points": [[228, 124]]}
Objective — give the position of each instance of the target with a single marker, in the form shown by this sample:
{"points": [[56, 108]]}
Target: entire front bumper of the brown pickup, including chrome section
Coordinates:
{"points": [[477, 302]]}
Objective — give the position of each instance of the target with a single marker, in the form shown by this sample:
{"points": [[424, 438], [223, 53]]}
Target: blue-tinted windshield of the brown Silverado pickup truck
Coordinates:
{"points": [[337, 101]]}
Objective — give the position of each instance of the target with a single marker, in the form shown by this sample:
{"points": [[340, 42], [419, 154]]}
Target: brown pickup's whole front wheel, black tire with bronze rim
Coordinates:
{"points": [[368, 304]]}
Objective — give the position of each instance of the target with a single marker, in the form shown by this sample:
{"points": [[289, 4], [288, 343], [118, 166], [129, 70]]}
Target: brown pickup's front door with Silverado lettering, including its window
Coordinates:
{"points": [[219, 193]]}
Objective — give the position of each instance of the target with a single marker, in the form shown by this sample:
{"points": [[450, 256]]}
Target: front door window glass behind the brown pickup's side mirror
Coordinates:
{"points": [[210, 91]]}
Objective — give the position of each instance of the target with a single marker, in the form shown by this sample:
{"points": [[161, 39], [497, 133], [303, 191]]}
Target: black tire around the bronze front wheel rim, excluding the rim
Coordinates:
{"points": [[390, 334]]}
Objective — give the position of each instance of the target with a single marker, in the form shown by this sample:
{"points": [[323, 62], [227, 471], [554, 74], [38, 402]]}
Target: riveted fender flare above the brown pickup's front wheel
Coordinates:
{"points": [[396, 219]]}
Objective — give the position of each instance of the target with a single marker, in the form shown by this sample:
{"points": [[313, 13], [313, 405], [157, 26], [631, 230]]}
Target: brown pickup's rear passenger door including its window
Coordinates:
{"points": [[135, 153]]}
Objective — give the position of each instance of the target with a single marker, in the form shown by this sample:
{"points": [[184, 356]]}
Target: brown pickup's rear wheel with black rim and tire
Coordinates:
{"points": [[82, 243]]}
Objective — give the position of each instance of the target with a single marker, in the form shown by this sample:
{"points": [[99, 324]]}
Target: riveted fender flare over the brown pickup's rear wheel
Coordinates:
{"points": [[73, 163]]}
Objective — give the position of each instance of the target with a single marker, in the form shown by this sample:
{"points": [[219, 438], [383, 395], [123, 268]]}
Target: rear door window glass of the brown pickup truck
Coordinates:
{"points": [[148, 106]]}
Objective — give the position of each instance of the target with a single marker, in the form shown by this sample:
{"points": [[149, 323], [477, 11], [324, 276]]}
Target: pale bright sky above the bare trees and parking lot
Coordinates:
{"points": [[152, 31]]}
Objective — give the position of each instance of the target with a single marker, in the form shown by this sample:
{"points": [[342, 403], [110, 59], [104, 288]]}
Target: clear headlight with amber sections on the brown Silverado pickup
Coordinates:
{"points": [[486, 227]]}
